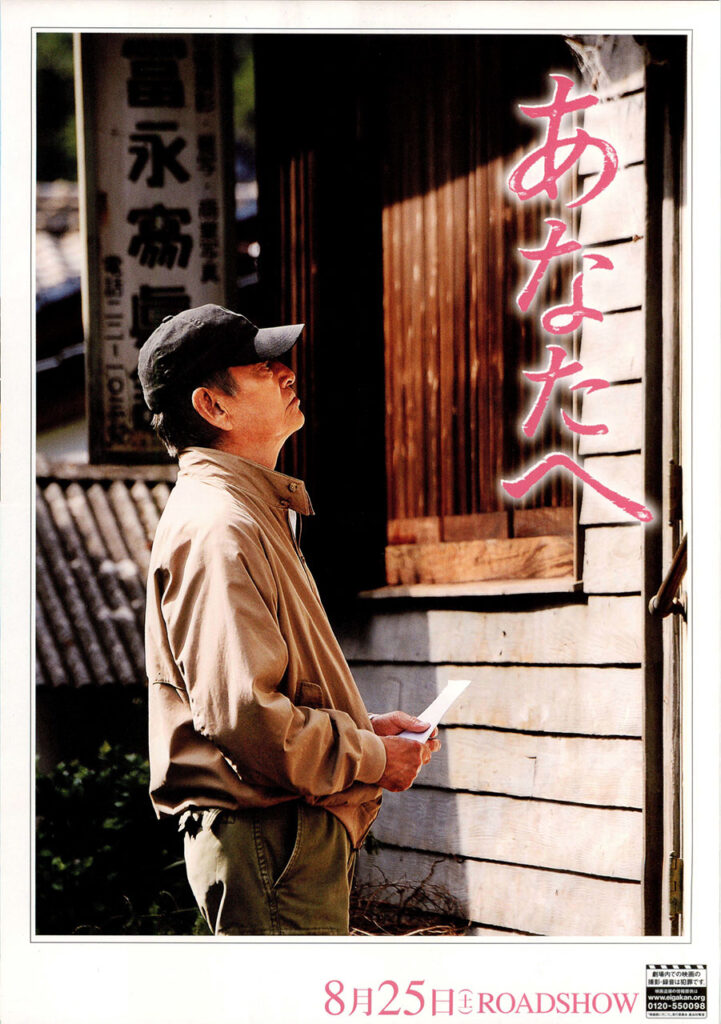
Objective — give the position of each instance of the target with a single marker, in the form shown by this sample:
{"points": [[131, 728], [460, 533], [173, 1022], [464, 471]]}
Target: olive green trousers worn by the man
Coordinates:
{"points": [[285, 870]]}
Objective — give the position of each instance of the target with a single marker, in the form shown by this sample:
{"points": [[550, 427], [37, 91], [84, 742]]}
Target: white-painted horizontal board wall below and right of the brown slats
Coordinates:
{"points": [[532, 816]]}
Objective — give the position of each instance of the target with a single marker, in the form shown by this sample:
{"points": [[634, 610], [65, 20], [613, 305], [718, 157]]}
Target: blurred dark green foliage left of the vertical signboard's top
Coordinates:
{"points": [[56, 122]]}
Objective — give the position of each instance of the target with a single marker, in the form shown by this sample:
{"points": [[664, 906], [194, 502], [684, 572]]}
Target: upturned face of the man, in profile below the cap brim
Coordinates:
{"points": [[266, 409]]}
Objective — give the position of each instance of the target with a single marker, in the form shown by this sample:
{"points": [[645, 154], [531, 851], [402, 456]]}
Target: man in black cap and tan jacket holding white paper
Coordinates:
{"points": [[260, 741]]}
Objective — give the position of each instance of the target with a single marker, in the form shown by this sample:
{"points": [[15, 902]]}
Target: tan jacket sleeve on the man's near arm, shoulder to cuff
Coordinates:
{"points": [[220, 609]]}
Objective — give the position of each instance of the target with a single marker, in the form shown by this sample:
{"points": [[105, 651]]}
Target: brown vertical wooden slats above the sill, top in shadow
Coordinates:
{"points": [[455, 340]]}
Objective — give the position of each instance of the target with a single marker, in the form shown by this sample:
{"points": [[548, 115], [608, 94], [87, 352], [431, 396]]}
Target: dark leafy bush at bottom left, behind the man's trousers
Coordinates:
{"points": [[104, 865]]}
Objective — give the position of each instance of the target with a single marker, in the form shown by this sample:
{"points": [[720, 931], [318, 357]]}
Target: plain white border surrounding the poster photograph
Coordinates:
{"points": [[74, 982]]}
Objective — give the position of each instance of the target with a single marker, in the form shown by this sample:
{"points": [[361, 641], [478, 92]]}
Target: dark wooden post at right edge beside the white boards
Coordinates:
{"points": [[665, 106]]}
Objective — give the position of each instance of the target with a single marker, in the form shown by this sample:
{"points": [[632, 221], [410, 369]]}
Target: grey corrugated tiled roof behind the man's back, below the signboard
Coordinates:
{"points": [[95, 532]]}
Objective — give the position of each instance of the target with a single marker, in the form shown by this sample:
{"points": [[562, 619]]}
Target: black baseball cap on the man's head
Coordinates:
{"points": [[188, 348]]}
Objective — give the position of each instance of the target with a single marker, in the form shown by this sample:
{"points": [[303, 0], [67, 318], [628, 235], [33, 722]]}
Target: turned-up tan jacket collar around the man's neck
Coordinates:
{"points": [[245, 478]]}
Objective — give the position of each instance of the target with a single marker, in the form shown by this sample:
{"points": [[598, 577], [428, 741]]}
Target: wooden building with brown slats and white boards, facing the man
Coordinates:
{"points": [[389, 229]]}
